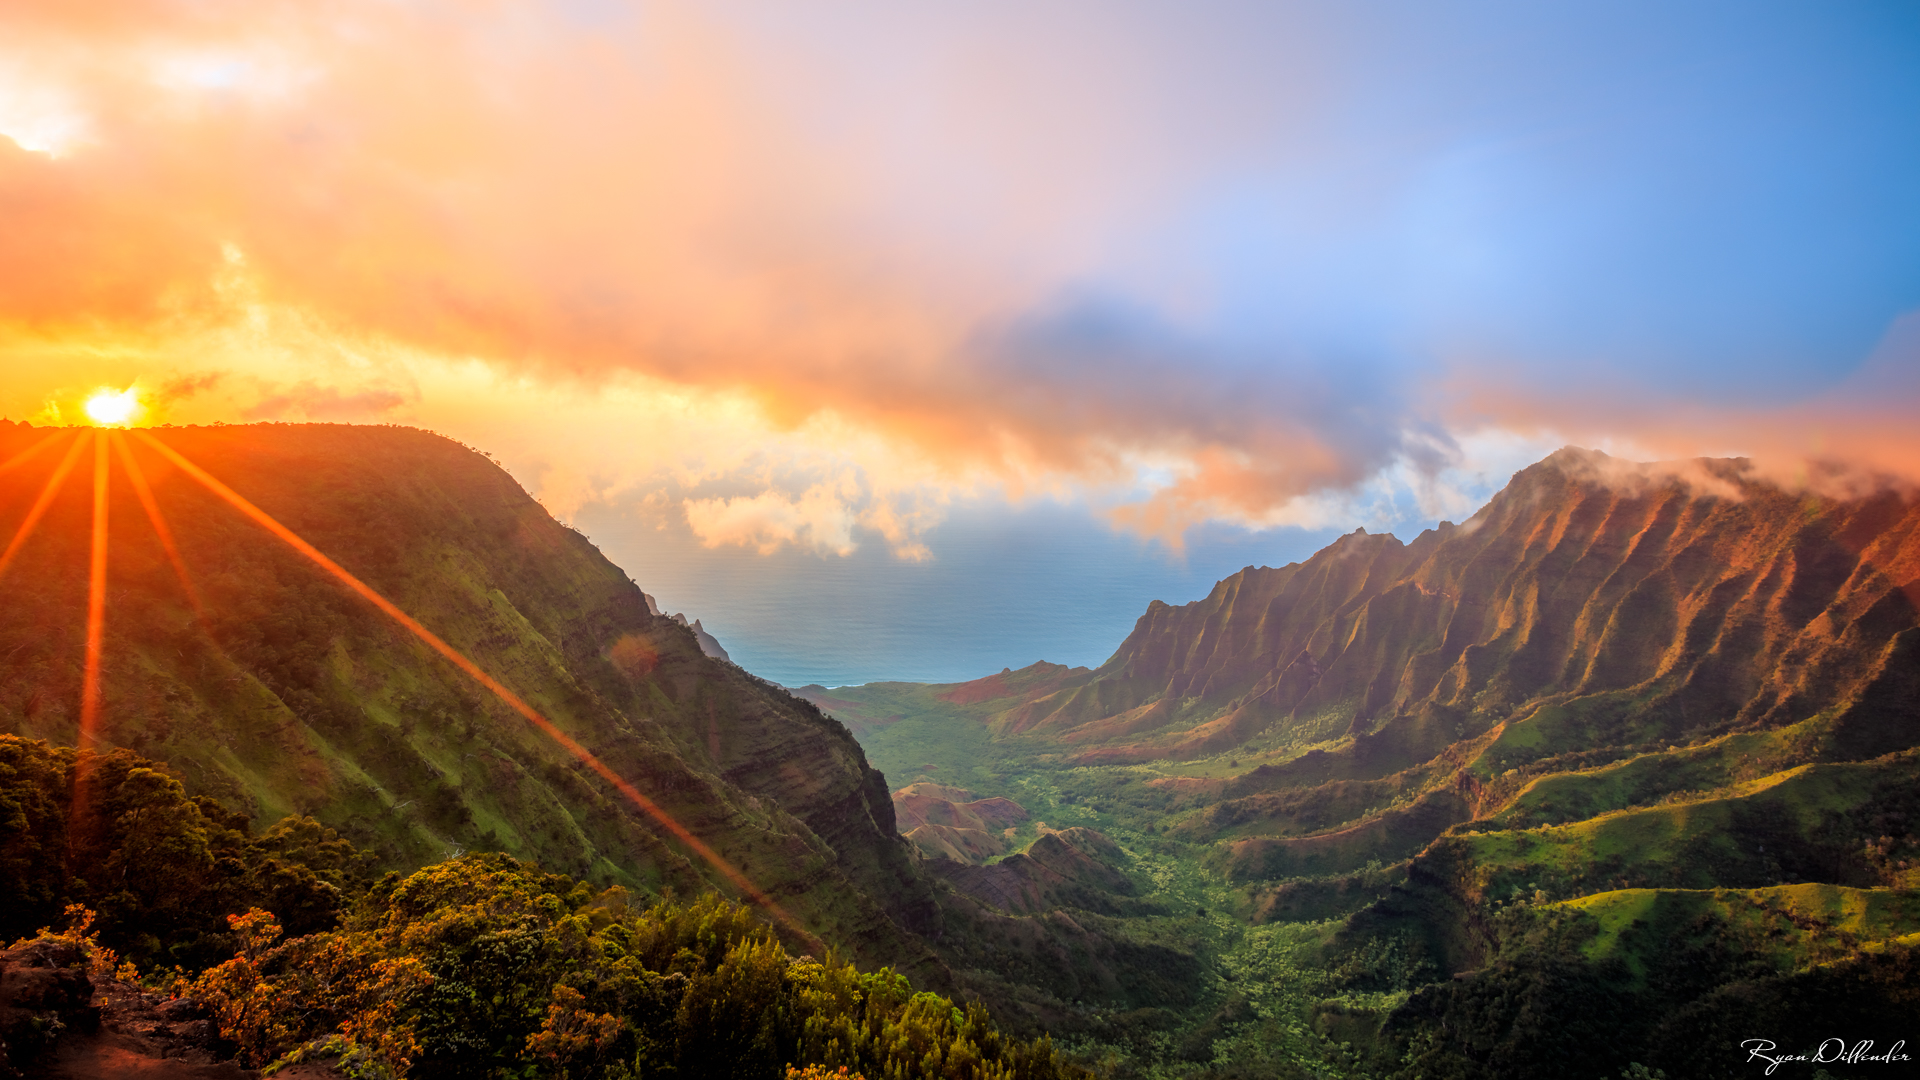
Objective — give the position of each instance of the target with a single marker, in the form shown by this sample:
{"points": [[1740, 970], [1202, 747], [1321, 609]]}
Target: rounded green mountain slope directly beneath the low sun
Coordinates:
{"points": [[289, 695]]}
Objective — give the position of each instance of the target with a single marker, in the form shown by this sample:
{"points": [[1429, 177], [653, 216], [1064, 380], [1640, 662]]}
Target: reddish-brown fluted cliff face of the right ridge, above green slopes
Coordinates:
{"points": [[1673, 601]]}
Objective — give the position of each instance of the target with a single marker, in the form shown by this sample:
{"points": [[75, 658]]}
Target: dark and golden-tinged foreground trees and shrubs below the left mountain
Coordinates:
{"points": [[471, 968]]}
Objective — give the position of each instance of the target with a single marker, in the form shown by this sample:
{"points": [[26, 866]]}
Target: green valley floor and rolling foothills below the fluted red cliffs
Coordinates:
{"points": [[1333, 962]]}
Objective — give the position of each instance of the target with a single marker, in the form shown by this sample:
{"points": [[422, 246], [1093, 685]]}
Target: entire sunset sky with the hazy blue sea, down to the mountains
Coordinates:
{"points": [[917, 341]]}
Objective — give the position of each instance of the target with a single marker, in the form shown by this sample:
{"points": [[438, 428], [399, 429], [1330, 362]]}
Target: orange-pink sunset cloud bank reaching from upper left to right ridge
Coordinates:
{"points": [[648, 197]]}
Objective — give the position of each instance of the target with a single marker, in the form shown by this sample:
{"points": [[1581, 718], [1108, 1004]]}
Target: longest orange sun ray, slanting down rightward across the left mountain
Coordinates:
{"points": [[454, 656]]}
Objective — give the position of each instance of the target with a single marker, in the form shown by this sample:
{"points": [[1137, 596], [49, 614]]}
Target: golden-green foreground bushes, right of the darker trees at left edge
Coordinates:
{"points": [[491, 968]]}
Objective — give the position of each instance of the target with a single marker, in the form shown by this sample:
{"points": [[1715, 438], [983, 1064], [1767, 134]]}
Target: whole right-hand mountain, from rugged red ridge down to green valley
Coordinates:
{"points": [[1652, 724]]}
